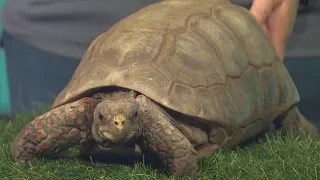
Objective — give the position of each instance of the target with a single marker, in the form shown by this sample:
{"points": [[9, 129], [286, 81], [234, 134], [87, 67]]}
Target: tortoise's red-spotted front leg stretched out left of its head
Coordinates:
{"points": [[54, 131]]}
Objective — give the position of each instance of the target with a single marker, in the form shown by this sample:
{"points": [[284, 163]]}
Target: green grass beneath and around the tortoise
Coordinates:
{"points": [[273, 157]]}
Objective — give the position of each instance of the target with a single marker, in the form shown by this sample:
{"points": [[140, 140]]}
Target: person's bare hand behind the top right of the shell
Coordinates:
{"points": [[277, 17]]}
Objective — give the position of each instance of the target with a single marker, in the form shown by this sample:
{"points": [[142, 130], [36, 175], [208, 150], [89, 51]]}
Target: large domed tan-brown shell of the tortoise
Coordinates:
{"points": [[208, 59]]}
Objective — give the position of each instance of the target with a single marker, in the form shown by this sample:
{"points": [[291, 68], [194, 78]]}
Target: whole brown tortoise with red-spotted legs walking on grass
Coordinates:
{"points": [[181, 78]]}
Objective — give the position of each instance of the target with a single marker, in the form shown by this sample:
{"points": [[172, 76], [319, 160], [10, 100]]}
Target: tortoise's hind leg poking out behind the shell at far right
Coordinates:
{"points": [[293, 122]]}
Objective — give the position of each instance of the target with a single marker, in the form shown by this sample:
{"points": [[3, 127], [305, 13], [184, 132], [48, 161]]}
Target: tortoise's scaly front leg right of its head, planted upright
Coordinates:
{"points": [[165, 140]]}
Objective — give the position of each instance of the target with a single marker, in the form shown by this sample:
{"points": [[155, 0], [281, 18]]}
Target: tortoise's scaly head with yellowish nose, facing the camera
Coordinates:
{"points": [[116, 121]]}
